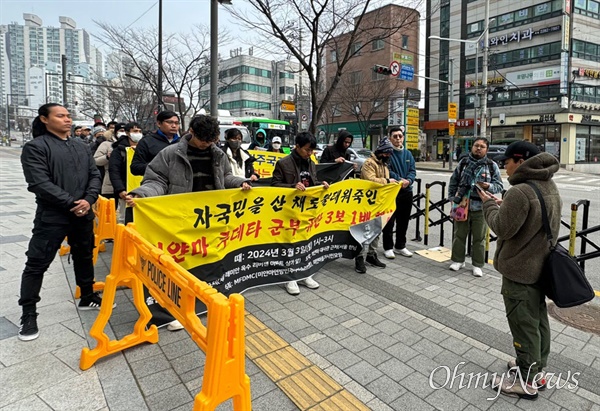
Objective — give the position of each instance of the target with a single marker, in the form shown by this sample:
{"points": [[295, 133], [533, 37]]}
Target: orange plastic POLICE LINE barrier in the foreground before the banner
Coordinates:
{"points": [[140, 263]]}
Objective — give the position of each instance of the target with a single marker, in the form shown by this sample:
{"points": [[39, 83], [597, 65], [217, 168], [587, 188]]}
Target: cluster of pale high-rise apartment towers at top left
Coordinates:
{"points": [[30, 61]]}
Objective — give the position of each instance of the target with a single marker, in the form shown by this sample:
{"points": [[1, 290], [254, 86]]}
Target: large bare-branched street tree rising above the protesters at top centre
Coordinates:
{"points": [[307, 30]]}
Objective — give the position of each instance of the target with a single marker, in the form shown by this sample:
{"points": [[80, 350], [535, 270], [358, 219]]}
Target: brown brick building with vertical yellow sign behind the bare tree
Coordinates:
{"points": [[366, 102]]}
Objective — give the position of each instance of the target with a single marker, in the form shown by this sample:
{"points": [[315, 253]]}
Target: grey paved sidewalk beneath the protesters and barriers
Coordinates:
{"points": [[379, 335]]}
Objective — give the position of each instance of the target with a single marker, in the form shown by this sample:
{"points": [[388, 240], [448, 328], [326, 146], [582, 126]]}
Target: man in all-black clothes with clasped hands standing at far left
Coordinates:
{"points": [[62, 174]]}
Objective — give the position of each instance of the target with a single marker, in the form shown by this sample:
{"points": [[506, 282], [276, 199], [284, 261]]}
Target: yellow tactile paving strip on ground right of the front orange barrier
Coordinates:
{"points": [[308, 386]]}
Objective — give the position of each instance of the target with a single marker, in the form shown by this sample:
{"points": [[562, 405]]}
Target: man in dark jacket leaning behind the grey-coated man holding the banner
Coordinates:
{"points": [[153, 143]]}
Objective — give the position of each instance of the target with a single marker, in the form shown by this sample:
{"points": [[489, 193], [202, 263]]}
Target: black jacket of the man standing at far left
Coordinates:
{"points": [[60, 172]]}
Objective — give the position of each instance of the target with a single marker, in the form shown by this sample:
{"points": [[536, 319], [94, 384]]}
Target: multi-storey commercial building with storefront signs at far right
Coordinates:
{"points": [[543, 82]]}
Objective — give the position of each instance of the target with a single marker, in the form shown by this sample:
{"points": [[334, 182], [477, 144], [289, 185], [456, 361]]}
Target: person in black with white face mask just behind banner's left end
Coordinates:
{"points": [[117, 165]]}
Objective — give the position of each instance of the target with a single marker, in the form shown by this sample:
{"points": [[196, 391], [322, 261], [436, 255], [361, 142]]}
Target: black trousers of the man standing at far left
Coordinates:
{"points": [[45, 242]]}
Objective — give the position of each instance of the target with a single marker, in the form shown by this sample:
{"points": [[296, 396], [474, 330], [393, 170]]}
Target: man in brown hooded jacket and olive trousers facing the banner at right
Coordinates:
{"points": [[520, 254]]}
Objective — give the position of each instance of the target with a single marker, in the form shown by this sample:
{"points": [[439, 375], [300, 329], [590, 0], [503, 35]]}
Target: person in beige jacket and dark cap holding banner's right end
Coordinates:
{"points": [[375, 169]]}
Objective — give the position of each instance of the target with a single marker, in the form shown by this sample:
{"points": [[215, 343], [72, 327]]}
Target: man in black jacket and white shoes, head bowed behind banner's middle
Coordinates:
{"points": [[298, 171]]}
